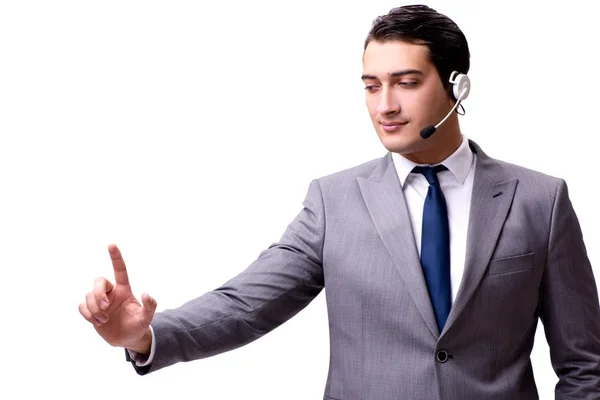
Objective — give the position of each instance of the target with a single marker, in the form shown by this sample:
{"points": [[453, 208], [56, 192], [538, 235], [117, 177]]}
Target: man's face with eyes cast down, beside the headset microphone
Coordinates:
{"points": [[404, 94]]}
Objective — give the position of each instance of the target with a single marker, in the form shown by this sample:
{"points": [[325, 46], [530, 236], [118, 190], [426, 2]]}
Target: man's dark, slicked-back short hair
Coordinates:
{"points": [[419, 24]]}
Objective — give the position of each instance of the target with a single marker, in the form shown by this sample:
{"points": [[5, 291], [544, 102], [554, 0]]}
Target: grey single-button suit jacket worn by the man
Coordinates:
{"points": [[525, 260]]}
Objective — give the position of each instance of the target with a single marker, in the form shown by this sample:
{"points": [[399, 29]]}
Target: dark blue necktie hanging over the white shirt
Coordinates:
{"points": [[435, 245]]}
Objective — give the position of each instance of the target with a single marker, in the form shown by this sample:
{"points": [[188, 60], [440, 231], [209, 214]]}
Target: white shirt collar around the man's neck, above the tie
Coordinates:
{"points": [[459, 163]]}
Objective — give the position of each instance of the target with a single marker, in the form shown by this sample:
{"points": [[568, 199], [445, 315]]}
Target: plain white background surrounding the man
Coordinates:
{"points": [[188, 133]]}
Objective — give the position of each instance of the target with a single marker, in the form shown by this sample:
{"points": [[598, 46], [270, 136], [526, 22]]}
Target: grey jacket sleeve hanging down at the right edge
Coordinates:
{"points": [[569, 305]]}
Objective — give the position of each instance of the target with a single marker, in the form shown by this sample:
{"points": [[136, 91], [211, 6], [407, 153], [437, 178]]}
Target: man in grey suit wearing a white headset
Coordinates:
{"points": [[437, 260]]}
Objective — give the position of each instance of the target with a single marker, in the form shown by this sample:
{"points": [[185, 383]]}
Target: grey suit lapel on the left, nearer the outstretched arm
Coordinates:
{"points": [[385, 201]]}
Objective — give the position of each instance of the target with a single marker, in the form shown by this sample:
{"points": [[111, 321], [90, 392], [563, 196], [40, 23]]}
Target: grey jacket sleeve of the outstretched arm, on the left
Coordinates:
{"points": [[284, 279]]}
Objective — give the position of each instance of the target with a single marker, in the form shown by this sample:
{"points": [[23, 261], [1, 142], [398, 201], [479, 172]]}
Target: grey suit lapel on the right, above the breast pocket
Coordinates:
{"points": [[490, 202]]}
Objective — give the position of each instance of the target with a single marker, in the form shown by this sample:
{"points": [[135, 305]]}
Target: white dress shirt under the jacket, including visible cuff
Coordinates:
{"points": [[457, 186]]}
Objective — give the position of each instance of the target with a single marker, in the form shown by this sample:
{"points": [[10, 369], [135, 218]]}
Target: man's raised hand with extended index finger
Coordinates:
{"points": [[114, 311]]}
